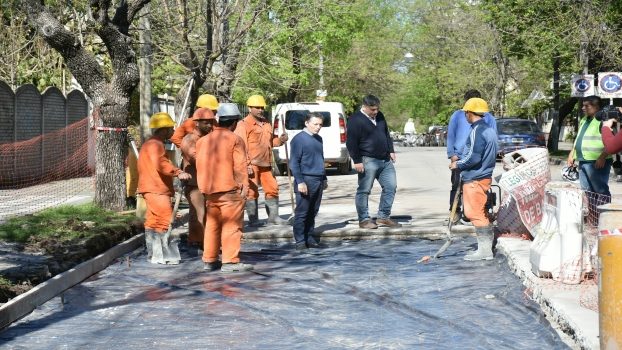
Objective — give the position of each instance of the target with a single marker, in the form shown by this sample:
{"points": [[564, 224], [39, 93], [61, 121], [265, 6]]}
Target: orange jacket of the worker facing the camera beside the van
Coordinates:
{"points": [[258, 139]]}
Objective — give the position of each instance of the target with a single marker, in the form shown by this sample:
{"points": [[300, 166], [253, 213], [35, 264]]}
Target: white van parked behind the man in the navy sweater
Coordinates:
{"points": [[333, 132]]}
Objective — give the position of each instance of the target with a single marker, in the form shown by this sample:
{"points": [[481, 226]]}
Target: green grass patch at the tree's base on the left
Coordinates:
{"points": [[64, 223]]}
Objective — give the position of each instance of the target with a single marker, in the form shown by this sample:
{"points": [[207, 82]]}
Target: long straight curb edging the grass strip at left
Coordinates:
{"points": [[25, 303]]}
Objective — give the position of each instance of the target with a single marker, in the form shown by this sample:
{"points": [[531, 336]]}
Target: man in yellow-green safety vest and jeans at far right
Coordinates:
{"points": [[594, 161]]}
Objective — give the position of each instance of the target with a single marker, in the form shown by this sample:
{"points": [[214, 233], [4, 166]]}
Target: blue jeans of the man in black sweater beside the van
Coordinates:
{"points": [[384, 172]]}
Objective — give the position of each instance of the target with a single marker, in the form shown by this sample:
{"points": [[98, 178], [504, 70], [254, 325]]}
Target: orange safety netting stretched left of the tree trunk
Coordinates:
{"points": [[46, 170]]}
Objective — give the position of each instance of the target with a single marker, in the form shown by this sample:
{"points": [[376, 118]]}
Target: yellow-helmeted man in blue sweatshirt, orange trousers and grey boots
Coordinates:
{"points": [[476, 166]]}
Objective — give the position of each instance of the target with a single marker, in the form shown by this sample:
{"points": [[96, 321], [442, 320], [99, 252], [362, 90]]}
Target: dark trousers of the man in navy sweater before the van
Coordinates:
{"points": [[307, 207]]}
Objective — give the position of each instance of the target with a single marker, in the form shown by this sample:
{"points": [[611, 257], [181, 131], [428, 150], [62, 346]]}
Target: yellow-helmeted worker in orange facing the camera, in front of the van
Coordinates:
{"points": [[256, 132]]}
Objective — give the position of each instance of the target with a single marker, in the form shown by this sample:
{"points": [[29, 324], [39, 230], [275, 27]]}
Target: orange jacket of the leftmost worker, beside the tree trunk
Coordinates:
{"points": [[155, 170]]}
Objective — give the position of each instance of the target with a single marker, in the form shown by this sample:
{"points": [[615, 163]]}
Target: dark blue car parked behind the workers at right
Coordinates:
{"points": [[514, 134]]}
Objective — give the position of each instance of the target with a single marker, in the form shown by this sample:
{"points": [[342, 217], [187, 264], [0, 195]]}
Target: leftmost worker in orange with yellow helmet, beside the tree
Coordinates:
{"points": [[155, 183]]}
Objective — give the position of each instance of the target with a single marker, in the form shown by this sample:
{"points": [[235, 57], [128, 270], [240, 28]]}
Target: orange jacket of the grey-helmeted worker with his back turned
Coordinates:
{"points": [[221, 162]]}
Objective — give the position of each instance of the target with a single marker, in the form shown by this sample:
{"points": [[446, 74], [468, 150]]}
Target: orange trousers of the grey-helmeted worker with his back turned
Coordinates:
{"points": [[224, 220]]}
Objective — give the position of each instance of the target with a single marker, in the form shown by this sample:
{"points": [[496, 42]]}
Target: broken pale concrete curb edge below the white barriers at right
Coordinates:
{"points": [[561, 307]]}
